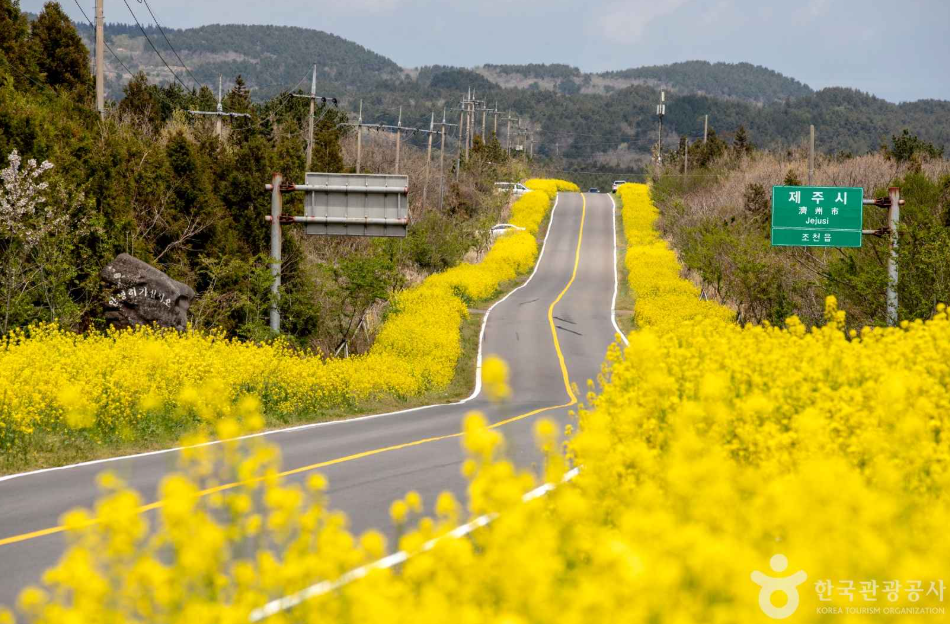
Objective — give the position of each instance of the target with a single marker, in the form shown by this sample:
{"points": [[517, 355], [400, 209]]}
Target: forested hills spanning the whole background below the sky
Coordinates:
{"points": [[600, 121]]}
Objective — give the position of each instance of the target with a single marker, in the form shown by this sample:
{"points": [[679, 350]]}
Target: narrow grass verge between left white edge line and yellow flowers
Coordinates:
{"points": [[48, 451]]}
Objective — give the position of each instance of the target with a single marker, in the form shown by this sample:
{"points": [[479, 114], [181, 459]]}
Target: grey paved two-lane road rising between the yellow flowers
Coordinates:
{"points": [[570, 294]]}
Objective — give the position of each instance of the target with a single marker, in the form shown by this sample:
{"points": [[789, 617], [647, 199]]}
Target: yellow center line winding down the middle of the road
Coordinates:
{"points": [[228, 486]]}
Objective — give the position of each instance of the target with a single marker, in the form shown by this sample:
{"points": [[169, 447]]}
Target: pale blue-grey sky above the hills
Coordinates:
{"points": [[898, 51]]}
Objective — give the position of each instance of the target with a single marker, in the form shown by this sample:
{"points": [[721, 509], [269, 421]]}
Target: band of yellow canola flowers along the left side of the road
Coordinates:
{"points": [[125, 384]]}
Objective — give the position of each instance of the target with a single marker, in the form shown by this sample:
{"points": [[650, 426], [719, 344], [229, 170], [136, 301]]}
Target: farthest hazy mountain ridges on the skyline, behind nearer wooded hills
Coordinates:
{"points": [[273, 58]]}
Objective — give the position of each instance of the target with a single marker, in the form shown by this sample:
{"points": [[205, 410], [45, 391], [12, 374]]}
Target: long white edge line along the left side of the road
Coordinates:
{"points": [[475, 392]]}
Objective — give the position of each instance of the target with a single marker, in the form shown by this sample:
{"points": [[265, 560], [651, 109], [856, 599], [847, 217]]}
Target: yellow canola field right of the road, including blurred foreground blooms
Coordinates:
{"points": [[716, 461]]}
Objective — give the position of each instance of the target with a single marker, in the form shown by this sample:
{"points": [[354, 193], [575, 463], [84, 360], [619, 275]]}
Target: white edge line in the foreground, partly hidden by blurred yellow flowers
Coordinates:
{"points": [[390, 561]]}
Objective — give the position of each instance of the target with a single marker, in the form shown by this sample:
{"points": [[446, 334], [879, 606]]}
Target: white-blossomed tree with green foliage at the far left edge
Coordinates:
{"points": [[33, 246]]}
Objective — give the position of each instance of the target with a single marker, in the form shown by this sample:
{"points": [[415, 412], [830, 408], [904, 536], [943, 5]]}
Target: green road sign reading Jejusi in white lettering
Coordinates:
{"points": [[817, 216]]}
